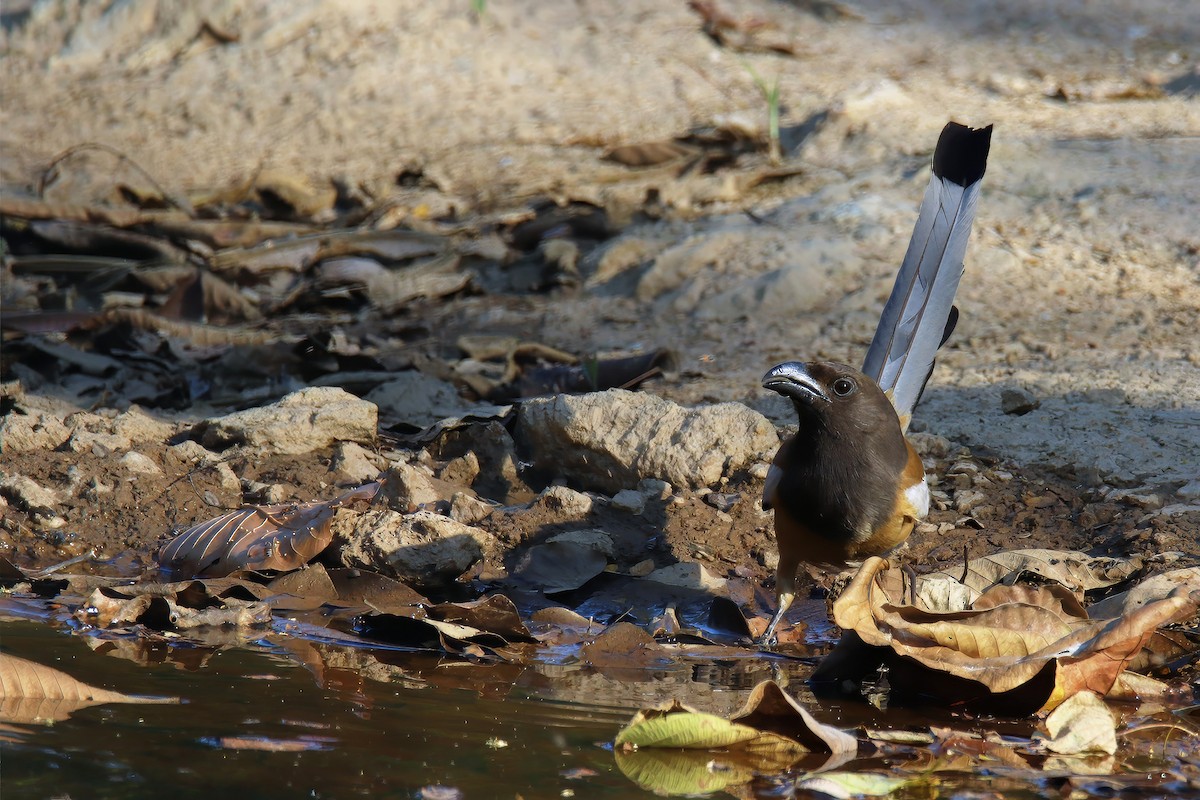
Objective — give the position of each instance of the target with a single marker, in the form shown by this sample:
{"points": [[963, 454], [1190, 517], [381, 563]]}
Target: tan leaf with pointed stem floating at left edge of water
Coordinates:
{"points": [[34, 693]]}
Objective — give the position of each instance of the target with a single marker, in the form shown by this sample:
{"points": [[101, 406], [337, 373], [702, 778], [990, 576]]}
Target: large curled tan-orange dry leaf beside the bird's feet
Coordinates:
{"points": [[1035, 655]]}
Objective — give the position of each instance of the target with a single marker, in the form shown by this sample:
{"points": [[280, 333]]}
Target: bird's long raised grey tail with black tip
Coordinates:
{"points": [[919, 315]]}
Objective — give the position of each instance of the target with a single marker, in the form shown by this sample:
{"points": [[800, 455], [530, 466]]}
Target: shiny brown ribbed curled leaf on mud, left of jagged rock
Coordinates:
{"points": [[257, 538]]}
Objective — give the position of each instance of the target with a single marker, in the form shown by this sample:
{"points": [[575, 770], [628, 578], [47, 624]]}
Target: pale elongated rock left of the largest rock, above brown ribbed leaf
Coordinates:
{"points": [[303, 422]]}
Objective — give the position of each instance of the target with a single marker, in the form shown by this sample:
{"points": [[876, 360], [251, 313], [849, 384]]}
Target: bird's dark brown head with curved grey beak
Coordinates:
{"points": [[832, 396]]}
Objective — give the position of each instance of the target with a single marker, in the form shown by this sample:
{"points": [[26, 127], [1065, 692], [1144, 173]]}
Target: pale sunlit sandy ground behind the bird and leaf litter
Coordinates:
{"points": [[1083, 281]]}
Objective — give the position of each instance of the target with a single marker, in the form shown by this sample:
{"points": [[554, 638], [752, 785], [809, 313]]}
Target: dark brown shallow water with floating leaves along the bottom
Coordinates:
{"points": [[309, 713]]}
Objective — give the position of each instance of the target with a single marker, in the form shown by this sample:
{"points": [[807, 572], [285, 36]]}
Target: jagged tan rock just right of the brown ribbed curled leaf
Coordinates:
{"points": [[424, 550]]}
